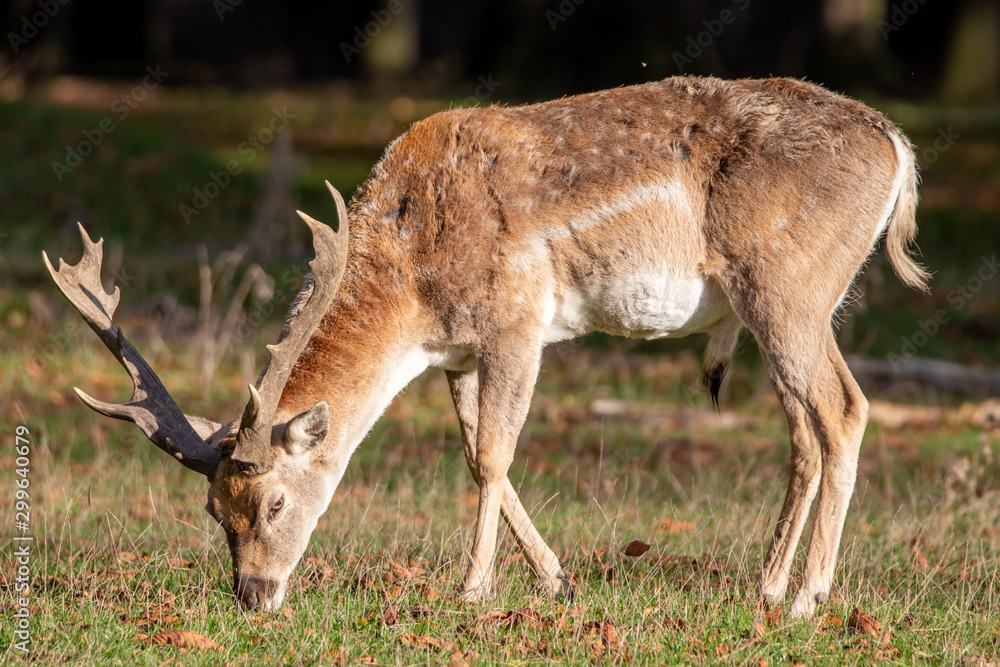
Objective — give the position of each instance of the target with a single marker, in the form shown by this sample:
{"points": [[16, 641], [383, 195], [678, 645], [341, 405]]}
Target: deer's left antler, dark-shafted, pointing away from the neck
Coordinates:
{"points": [[151, 408]]}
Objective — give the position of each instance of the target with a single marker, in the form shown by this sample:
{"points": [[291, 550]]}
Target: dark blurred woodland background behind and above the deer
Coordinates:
{"points": [[187, 132]]}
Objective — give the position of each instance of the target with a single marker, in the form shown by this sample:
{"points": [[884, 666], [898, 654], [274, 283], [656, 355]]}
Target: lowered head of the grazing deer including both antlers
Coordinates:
{"points": [[268, 483]]}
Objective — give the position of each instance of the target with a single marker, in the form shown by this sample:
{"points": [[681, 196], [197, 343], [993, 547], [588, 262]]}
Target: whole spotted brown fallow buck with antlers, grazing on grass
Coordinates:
{"points": [[675, 207]]}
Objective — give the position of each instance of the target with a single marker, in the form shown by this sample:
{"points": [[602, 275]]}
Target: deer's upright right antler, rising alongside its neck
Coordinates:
{"points": [[253, 451]]}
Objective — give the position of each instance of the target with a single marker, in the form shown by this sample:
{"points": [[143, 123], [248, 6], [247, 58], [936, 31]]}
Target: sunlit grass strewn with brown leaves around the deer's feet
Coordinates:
{"points": [[124, 551]]}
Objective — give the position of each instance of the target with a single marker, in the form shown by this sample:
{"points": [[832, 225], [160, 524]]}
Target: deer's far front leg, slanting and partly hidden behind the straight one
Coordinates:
{"points": [[543, 562]]}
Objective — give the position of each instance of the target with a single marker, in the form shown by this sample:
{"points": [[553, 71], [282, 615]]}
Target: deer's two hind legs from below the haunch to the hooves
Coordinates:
{"points": [[810, 370]]}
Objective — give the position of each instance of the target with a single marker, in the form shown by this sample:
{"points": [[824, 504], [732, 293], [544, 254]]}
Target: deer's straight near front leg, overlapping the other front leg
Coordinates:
{"points": [[508, 366]]}
